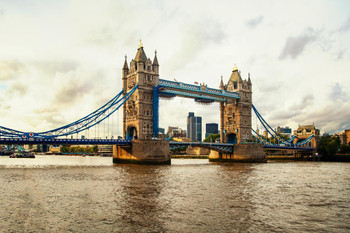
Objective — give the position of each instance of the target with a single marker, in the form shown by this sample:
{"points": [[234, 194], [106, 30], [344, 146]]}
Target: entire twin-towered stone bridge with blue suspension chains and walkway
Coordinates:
{"points": [[141, 90]]}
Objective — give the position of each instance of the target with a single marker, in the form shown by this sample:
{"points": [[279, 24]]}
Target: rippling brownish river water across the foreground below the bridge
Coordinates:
{"points": [[90, 194]]}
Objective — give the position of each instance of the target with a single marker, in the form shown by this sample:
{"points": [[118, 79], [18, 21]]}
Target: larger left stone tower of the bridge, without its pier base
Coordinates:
{"points": [[138, 116]]}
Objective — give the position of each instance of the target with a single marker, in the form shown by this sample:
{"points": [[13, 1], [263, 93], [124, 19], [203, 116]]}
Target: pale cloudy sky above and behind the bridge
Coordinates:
{"points": [[60, 60]]}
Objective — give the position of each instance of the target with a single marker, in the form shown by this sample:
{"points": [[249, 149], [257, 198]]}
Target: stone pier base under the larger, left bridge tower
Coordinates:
{"points": [[143, 152]]}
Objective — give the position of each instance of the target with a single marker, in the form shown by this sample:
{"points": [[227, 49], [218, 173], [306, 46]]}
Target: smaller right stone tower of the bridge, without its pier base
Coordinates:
{"points": [[236, 114]]}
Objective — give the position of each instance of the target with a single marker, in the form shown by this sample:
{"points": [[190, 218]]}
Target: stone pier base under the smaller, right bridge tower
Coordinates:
{"points": [[247, 153]]}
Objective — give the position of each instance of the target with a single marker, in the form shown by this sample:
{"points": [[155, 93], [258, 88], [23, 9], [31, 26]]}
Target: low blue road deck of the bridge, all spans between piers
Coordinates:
{"points": [[222, 147]]}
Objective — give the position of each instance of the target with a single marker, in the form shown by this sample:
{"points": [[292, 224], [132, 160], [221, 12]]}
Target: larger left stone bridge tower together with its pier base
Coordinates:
{"points": [[140, 113]]}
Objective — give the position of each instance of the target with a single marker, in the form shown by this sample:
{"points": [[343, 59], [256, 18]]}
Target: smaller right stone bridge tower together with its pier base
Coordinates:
{"points": [[236, 123]]}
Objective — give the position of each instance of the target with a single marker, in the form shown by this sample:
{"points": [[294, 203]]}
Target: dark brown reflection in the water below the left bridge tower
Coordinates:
{"points": [[141, 187]]}
